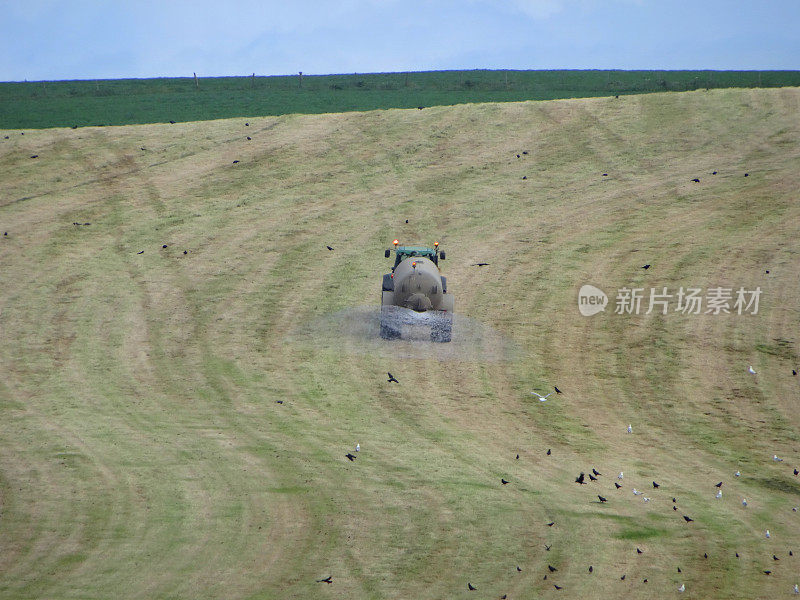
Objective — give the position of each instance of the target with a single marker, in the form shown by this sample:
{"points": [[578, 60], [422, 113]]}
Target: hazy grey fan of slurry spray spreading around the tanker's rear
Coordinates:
{"points": [[357, 331]]}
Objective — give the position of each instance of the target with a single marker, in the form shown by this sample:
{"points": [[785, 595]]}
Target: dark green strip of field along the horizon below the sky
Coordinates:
{"points": [[38, 104]]}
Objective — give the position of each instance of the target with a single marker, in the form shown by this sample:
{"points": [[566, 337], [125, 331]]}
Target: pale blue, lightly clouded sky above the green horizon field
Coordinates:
{"points": [[95, 39]]}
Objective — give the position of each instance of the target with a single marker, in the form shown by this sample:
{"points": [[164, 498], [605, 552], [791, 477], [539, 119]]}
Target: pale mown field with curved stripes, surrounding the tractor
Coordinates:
{"points": [[143, 451]]}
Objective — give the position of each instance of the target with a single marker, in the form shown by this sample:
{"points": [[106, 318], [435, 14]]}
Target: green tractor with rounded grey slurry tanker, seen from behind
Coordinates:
{"points": [[415, 284]]}
